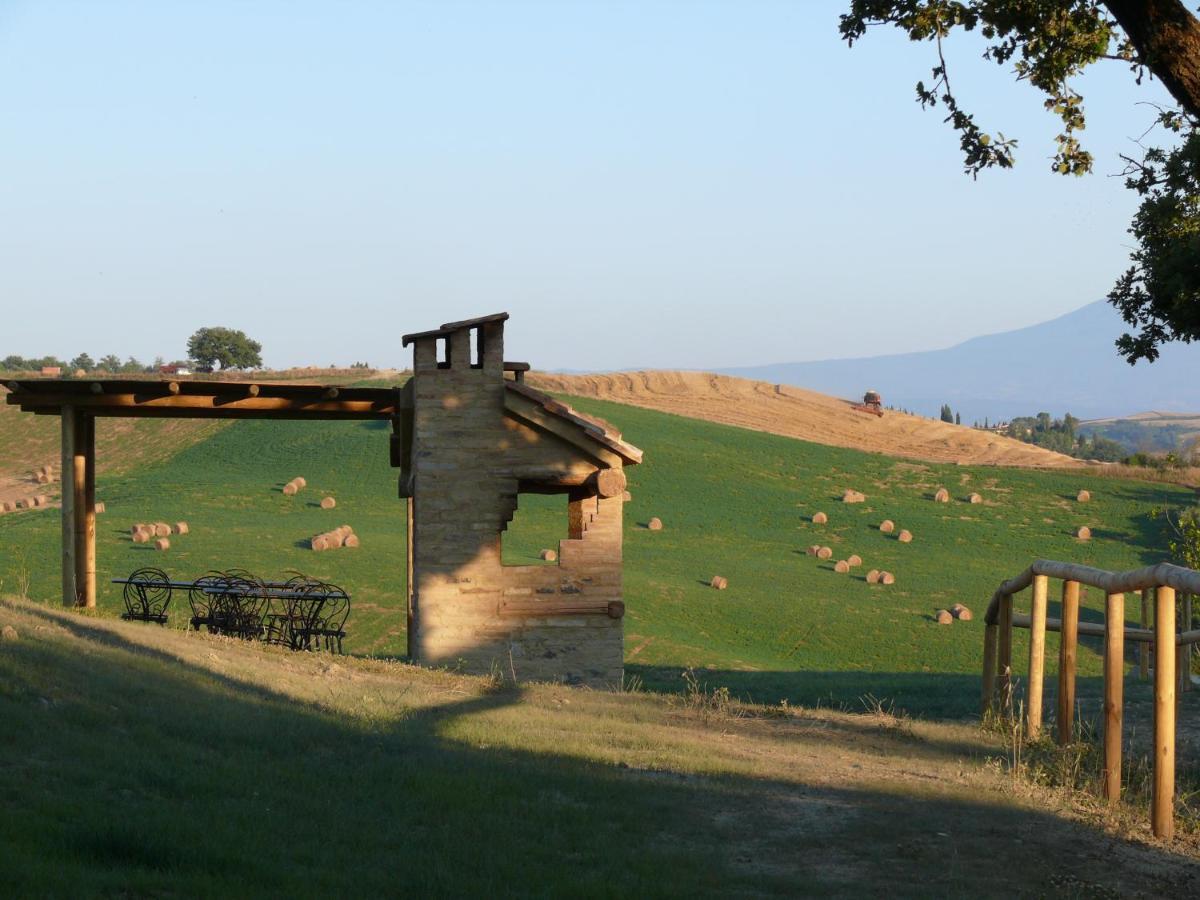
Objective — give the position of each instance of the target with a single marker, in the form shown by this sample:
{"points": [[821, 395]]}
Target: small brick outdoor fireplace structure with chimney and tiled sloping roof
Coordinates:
{"points": [[470, 439]]}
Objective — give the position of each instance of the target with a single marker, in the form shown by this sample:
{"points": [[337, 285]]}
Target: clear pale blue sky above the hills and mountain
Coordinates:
{"points": [[658, 185]]}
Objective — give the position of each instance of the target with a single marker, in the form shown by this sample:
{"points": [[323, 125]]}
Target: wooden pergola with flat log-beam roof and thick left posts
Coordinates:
{"points": [[80, 403]]}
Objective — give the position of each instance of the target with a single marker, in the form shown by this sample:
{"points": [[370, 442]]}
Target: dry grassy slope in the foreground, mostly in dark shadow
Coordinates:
{"points": [[142, 761]]}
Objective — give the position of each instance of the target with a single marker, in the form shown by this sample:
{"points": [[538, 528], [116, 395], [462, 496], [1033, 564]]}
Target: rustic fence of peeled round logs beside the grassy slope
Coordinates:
{"points": [[1172, 659]]}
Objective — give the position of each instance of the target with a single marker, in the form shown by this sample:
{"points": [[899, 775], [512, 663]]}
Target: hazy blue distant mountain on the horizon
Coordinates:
{"points": [[1066, 365]]}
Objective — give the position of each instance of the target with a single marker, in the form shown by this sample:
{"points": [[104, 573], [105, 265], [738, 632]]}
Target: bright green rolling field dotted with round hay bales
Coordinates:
{"points": [[734, 502]]}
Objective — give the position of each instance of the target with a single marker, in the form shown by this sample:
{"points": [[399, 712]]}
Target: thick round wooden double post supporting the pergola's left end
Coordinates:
{"points": [[79, 508]]}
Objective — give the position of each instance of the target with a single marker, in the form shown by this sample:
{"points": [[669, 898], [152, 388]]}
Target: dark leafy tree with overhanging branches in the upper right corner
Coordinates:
{"points": [[1049, 44]]}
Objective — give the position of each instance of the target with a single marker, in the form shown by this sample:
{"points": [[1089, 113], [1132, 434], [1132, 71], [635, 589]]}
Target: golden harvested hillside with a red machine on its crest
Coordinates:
{"points": [[797, 413]]}
